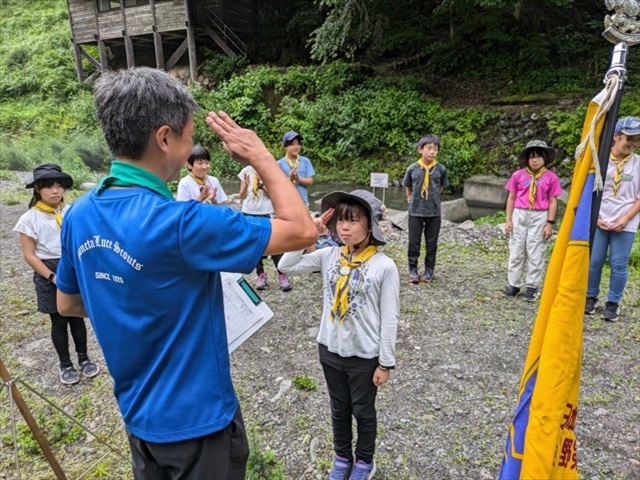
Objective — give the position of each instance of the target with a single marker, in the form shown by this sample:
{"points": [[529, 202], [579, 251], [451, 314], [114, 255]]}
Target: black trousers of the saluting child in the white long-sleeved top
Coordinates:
{"points": [[352, 394]]}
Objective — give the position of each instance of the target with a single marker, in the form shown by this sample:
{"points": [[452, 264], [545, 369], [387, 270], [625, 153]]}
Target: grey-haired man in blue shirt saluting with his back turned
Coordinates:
{"points": [[145, 269]]}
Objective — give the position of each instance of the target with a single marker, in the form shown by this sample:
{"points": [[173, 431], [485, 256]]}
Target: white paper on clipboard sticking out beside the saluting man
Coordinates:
{"points": [[242, 315]]}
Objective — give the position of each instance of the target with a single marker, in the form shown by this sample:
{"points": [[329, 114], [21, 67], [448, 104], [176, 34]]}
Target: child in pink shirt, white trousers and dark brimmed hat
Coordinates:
{"points": [[531, 213]]}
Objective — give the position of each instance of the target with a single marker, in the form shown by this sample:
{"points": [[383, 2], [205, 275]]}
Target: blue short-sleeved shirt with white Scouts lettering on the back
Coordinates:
{"points": [[147, 269]]}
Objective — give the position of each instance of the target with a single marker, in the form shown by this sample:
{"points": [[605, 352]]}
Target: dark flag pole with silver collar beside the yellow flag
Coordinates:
{"points": [[618, 68]]}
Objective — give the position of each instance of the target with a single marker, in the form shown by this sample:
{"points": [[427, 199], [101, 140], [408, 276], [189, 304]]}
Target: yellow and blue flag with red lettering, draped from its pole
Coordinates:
{"points": [[542, 441]]}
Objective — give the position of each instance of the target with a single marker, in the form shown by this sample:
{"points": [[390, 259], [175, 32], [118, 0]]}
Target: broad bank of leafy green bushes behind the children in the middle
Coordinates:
{"points": [[352, 124]]}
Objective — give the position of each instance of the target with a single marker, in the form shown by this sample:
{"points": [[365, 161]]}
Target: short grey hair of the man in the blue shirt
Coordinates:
{"points": [[132, 104]]}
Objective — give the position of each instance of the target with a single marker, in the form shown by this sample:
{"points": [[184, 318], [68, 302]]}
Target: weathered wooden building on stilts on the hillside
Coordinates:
{"points": [[157, 32]]}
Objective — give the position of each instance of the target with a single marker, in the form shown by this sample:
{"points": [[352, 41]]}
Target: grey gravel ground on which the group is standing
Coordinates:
{"points": [[444, 414]]}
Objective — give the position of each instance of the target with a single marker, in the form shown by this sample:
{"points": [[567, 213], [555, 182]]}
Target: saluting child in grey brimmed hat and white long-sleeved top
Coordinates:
{"points": [[357, 333]]}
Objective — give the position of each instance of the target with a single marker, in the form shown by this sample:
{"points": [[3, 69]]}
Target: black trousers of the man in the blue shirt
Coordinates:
{"points": [[219, 456]]}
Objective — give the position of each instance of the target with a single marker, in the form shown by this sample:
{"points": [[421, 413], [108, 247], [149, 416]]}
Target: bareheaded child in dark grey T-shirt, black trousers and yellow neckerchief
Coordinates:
{"points": [[424, 182]]}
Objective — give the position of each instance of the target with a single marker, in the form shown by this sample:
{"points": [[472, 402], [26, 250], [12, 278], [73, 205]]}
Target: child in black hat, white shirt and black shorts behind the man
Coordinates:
{"points": [[39, 230]]}
